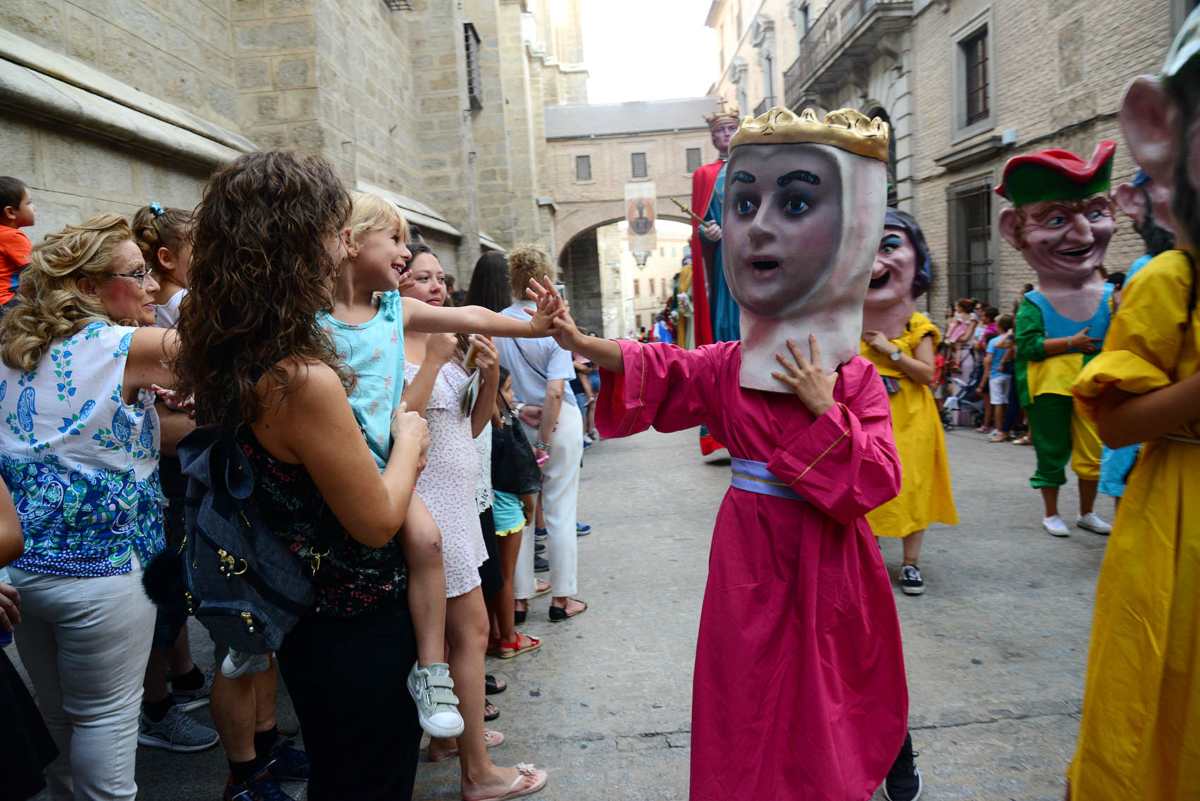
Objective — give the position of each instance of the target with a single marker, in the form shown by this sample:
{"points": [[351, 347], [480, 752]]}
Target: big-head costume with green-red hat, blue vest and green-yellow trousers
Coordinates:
{"points": [[1061, 221]]}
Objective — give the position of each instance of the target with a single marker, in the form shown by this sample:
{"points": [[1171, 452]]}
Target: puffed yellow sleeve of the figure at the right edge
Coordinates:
{"points": [[1147, 336]]}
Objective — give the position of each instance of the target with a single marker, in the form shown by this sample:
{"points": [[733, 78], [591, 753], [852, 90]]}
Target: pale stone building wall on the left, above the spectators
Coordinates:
{"points": [[111, 104]]}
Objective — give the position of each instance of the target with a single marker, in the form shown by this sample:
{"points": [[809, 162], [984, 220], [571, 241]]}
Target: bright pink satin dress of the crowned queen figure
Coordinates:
{"points": [[800, 688]]}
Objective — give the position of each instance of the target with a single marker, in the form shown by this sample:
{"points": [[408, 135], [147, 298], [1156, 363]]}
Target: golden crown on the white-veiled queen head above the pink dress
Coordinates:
{"points": [[845, 129]]}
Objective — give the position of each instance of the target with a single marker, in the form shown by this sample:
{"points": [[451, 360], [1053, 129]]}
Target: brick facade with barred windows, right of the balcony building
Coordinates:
{"points": [[1054, 76]]}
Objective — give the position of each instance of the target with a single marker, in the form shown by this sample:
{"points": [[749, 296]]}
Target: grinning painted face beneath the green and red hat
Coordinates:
{"points": [[1065, 242]]}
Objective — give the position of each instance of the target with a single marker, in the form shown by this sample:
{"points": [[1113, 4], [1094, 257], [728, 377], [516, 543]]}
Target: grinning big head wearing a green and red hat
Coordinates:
{"points": [[1061, 219]]}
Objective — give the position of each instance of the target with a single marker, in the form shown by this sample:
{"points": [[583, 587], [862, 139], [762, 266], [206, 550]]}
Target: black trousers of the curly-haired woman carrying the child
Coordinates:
{"points": [[347, 679]]}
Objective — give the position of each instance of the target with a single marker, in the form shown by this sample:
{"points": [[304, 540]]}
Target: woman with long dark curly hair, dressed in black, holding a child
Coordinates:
{"points": [[266, 248]]}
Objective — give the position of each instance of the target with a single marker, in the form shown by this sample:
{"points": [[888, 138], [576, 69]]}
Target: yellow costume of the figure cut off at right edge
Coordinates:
{"points": [[1141, 733]]}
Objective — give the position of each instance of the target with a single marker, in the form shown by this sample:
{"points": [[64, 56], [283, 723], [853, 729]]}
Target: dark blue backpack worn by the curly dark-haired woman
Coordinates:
{"points": [[242, 581]]}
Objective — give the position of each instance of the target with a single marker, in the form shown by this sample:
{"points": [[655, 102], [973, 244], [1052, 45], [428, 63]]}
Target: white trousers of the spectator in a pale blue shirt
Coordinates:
{"points": [[560, 495]]}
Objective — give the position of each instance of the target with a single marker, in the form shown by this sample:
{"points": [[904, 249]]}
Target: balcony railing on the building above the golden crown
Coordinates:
{"points": [[841, 25]]}
